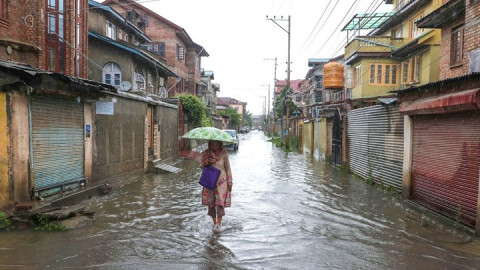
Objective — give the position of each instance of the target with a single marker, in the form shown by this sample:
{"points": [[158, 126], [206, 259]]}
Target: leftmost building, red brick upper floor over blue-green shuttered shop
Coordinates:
{"points": [[46, 100]]}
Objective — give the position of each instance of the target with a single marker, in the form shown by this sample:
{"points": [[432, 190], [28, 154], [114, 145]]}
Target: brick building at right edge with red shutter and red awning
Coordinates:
{"points": [[442, 120]]}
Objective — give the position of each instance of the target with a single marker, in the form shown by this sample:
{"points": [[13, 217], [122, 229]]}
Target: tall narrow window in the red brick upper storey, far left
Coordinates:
{"points": [[55, 56]]}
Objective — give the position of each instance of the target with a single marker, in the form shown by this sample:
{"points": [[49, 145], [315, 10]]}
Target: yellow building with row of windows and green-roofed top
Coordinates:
{"points": [[396, 54]]}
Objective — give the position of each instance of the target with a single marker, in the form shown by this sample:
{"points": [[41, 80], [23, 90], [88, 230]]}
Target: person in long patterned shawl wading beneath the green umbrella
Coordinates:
{"points": [[221, 196]]}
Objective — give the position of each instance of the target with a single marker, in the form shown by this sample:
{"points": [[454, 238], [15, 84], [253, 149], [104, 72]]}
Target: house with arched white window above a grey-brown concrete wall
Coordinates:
{"points": [[134, 119]]}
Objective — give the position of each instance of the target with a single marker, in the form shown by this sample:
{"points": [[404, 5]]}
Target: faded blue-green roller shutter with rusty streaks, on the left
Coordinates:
{"points": [[57, 147]]}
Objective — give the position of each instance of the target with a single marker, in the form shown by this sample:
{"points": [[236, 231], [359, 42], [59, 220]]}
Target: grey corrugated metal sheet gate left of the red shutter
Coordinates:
{"points": [[375, 137]]}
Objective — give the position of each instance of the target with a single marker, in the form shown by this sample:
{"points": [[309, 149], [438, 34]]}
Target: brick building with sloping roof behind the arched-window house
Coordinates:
{"points": [[170, 42]]}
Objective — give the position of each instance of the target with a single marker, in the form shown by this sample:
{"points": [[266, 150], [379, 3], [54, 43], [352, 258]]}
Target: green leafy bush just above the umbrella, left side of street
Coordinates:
{"points": [[196, 110]]}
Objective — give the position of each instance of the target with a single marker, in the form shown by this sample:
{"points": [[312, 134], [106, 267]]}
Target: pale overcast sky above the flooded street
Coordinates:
{"points": [[239, 38]]}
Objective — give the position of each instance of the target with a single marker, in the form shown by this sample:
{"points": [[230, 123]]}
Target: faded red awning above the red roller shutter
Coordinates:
{"points": [[454, 102]]}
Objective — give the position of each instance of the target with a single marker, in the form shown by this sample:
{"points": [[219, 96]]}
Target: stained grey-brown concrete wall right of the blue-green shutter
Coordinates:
{"points": [[119, 138]]}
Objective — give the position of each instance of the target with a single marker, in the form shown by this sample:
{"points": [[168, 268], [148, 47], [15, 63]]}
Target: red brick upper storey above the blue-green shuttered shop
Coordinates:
{"points": [[50, 35]]}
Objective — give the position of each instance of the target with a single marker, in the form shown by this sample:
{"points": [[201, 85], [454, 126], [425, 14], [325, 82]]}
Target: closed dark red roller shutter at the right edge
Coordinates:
{"points": [[446, 159]]}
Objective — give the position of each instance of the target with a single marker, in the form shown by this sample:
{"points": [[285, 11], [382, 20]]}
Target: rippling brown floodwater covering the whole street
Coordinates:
{"points": [[288, 212]]}
